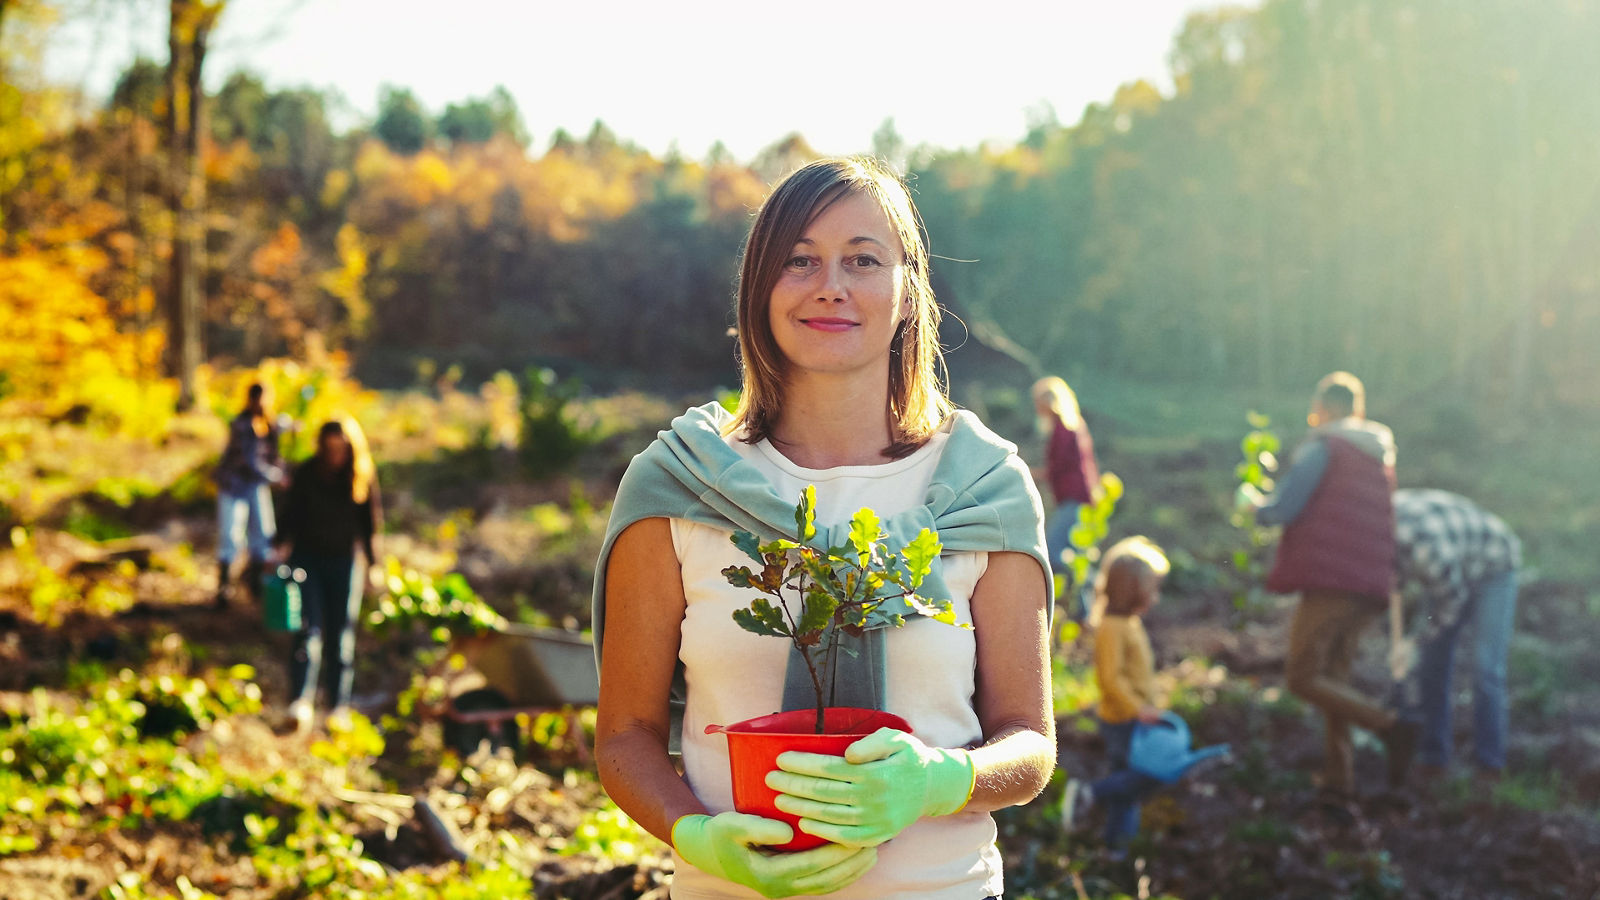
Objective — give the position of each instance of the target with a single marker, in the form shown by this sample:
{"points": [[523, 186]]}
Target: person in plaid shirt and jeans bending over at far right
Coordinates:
{"points": [[1458, 565]]}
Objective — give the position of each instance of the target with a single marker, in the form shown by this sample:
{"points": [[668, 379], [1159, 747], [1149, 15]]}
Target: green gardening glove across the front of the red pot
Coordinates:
{"points": [[884, 782]]}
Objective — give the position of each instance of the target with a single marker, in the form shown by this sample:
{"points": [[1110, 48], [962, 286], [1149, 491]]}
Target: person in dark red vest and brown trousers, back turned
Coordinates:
{"points": [[1338, 553]]}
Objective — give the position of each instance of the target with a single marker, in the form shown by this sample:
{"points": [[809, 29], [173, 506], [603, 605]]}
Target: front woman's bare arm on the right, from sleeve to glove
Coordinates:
{"points": [[1018, 755]]}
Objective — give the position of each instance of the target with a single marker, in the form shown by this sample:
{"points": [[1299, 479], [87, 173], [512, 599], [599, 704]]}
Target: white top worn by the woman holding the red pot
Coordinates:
{"points": [[734, 677]]}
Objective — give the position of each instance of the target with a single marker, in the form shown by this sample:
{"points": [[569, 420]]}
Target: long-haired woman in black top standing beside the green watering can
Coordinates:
{"points": [[332, 510]]}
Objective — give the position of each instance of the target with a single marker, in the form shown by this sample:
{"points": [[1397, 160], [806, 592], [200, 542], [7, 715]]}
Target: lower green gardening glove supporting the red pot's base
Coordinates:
{"points": [[729, 846]]}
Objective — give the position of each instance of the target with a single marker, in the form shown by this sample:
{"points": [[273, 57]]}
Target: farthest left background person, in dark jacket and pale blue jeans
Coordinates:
{"points": [[250, 467]]}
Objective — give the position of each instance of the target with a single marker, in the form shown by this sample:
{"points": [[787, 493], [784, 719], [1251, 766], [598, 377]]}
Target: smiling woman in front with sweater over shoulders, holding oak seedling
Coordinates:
{"points": [[844, 408]]}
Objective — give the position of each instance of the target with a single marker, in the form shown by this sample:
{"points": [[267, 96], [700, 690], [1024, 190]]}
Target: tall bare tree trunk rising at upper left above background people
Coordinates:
{"points": [[190, 28]]}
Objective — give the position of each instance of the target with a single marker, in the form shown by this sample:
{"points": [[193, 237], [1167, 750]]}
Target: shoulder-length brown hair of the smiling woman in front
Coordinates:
{"points": [[918, 398]]}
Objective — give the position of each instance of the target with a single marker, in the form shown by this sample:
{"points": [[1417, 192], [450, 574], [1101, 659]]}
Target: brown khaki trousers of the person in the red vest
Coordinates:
{"points": [[1324, 638]]}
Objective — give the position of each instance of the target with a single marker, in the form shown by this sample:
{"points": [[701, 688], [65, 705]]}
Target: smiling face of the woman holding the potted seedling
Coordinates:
{"points": [[842, 294]]}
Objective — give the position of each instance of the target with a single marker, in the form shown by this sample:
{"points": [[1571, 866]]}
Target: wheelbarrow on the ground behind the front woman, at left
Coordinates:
{"points": [[527, 672]]}
